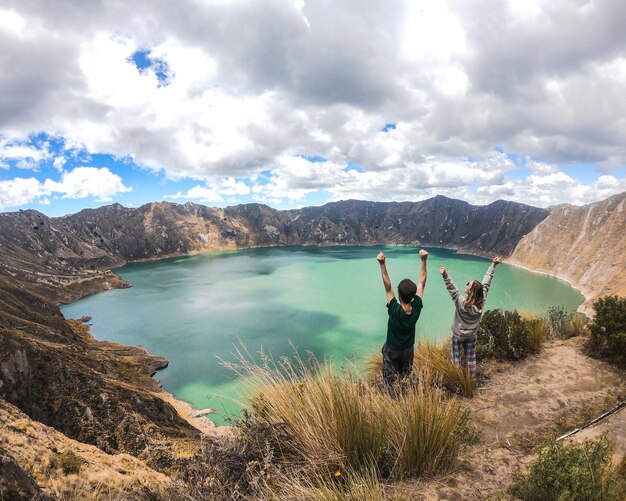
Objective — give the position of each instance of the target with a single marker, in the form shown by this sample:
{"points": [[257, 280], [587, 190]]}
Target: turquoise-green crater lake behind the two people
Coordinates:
{"points": [[330, 301]]}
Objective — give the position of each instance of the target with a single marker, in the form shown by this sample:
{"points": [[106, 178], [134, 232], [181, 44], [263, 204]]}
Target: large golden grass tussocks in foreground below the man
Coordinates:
{"points": [[334, 431]]}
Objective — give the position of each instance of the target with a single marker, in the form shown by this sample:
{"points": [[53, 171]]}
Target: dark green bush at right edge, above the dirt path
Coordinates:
{"points": [[608, 329]]}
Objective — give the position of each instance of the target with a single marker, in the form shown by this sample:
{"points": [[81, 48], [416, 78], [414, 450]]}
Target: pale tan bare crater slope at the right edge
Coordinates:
{"points": [[583, 245]]}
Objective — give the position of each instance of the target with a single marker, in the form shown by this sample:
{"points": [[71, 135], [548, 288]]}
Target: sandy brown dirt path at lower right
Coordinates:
{"points": [[524, 404]]}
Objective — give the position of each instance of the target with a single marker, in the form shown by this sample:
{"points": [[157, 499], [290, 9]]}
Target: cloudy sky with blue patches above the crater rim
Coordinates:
{"points": [[302, 102]]}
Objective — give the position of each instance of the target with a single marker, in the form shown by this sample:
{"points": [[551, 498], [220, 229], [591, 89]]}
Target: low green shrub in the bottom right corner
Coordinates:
{"points": [[573, 472]]}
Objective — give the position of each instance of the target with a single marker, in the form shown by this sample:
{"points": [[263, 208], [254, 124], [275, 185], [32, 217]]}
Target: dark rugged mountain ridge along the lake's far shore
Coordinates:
{"points": [[81, 248]]}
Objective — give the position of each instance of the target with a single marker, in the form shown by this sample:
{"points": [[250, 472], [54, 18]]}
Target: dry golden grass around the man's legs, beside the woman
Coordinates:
{"points": [[434, 361]]}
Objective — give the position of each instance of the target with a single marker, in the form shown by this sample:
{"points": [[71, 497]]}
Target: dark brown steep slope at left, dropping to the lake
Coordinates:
{"points": [[96, 392]]}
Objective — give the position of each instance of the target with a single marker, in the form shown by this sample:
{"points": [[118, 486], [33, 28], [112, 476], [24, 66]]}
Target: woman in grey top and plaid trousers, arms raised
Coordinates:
{"points": [[468, 311]]}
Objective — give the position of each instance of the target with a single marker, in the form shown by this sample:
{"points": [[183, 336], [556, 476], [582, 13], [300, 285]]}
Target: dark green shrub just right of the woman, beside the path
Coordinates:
{"points": [[502, 335]]}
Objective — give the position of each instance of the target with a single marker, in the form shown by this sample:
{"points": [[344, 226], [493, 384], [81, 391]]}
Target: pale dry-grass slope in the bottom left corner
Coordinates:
{"points": [[33, 462]]}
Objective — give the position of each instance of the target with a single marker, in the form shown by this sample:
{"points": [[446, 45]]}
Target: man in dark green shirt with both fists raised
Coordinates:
{"points": [[398, 348]]}
